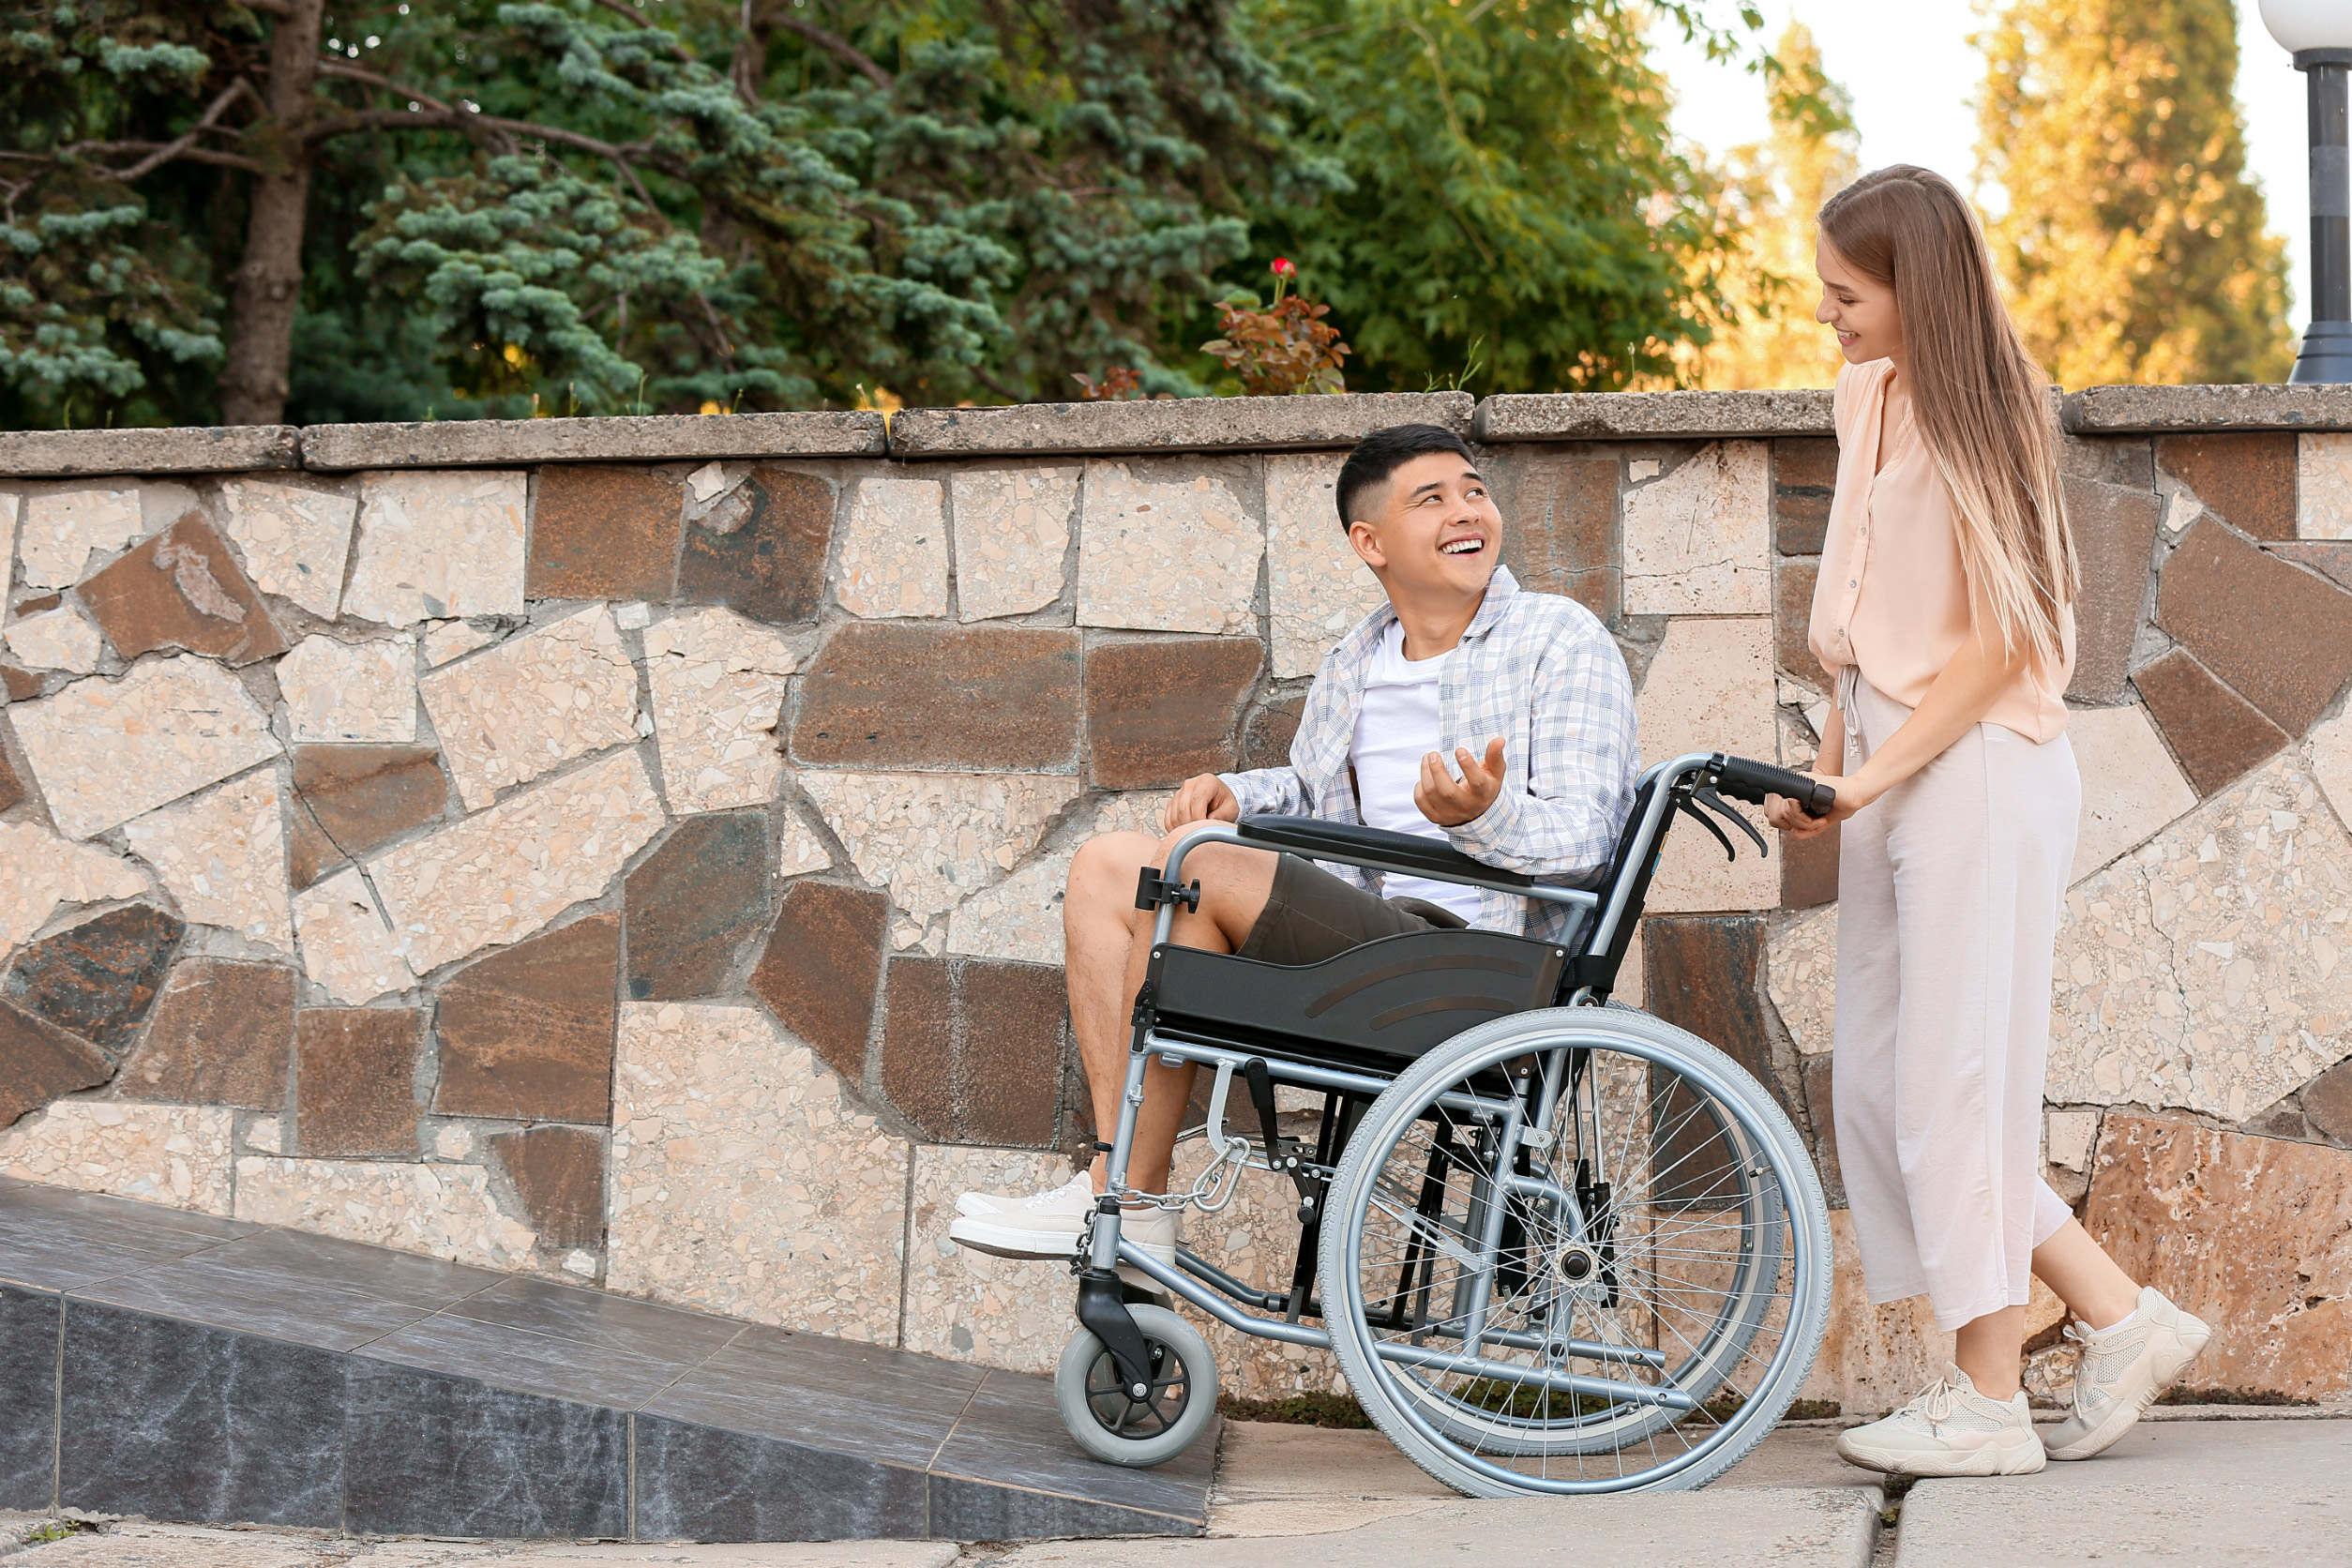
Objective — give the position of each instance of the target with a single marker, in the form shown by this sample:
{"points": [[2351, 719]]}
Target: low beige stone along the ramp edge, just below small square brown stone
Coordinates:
{"points": [[436, 1209]]}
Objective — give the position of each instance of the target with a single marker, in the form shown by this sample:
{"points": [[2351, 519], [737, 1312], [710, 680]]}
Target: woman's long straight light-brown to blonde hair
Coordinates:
{"points": [[1979, 398]]}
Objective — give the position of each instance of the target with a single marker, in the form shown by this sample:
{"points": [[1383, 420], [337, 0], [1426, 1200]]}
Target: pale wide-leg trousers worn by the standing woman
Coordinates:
{"points": [[1949, 897]]}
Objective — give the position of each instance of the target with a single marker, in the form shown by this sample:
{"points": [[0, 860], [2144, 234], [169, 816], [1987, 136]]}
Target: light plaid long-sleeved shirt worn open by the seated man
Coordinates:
{"points": [[1532, 669]]}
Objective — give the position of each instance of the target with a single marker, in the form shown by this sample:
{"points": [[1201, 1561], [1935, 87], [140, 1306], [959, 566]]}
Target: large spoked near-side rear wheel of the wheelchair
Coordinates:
{"points": [[1624, 1224]]}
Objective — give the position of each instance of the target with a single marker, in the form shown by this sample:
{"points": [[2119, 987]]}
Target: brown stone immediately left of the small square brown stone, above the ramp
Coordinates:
{"points": [[222, 1036]]}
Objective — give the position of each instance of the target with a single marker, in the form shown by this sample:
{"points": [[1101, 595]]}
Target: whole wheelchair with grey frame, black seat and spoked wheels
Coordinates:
{"points": [[1558, 1245]]}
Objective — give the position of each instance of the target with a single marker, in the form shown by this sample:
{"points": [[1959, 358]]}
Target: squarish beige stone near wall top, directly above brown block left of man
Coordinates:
{"points": [[1170, 547]]}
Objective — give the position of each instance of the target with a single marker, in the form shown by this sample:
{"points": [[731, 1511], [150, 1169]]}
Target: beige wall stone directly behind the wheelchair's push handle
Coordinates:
{"points": [[1711, 690]]}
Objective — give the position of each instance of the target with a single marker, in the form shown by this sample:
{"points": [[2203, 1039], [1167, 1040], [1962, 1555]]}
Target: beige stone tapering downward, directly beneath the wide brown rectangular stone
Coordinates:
{"points": [[937, 838]]}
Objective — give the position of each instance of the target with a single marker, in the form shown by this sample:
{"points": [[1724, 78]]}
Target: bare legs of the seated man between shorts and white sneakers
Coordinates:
{"points": [[1109, 944]]}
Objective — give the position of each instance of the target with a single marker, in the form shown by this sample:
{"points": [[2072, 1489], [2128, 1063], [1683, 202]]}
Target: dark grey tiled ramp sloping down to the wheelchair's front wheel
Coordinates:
{"points": [[196, 1369]]}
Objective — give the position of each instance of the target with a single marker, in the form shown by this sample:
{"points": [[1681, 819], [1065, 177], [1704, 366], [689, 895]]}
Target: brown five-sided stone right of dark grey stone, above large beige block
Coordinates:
{"points": [[822, 967]]}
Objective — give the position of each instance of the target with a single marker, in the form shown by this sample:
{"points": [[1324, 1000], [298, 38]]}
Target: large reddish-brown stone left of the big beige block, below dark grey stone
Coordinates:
{"points": [[528, 1033]]}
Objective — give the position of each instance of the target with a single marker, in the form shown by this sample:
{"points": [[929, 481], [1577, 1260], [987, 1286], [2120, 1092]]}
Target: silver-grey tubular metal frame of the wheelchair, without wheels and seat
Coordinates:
{"points": [[1664, 789]]}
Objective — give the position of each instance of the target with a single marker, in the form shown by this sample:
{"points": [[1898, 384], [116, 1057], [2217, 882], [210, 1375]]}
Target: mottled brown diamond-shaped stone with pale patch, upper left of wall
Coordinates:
{"points": [[182, 591]]}
